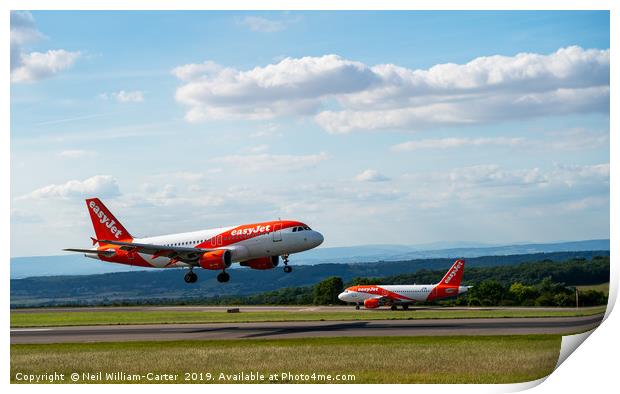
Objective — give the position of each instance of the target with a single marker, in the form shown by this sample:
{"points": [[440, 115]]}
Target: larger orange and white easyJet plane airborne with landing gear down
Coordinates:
{"points": [[257, 245]]}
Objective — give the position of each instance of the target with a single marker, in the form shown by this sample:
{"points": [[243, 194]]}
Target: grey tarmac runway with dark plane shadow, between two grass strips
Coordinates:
{"points": [[310, 329]]}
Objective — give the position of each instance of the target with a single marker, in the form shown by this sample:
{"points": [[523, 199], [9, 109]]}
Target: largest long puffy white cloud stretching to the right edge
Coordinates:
{"points": [[387, 96]]}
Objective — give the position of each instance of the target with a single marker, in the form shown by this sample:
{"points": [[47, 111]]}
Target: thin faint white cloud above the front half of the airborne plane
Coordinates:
{"points": [[264, 161]]}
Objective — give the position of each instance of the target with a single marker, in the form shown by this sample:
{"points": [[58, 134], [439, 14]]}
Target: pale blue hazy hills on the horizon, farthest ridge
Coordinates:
{"points": [[77, 264]]}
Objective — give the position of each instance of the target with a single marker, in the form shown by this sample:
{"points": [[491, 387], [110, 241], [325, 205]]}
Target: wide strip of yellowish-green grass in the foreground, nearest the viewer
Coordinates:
{"points": [[451, 359]]}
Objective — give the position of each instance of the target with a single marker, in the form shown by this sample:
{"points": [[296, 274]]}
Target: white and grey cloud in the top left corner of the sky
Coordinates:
{"points": [[33, 66]]}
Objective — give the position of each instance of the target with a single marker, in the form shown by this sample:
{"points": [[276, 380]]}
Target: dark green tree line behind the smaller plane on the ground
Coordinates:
{"points": [[541, 283]]}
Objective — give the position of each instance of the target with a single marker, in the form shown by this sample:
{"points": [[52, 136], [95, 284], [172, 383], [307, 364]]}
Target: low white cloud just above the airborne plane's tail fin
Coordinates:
{"points": [[99, 185]]}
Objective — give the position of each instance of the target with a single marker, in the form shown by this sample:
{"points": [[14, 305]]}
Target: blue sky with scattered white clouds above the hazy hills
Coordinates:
{"points": [[371, 127]]}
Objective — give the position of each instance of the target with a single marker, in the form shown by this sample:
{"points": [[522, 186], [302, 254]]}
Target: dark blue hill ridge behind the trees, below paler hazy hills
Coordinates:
{"points": [[169, 283]]}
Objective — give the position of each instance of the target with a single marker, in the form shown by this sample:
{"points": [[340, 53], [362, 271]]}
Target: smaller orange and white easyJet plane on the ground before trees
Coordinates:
{"points": [[372, 296]]}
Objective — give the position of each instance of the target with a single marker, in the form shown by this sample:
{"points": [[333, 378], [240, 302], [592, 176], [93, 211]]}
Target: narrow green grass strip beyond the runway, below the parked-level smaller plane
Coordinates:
{"points": [[42, 319]]}
